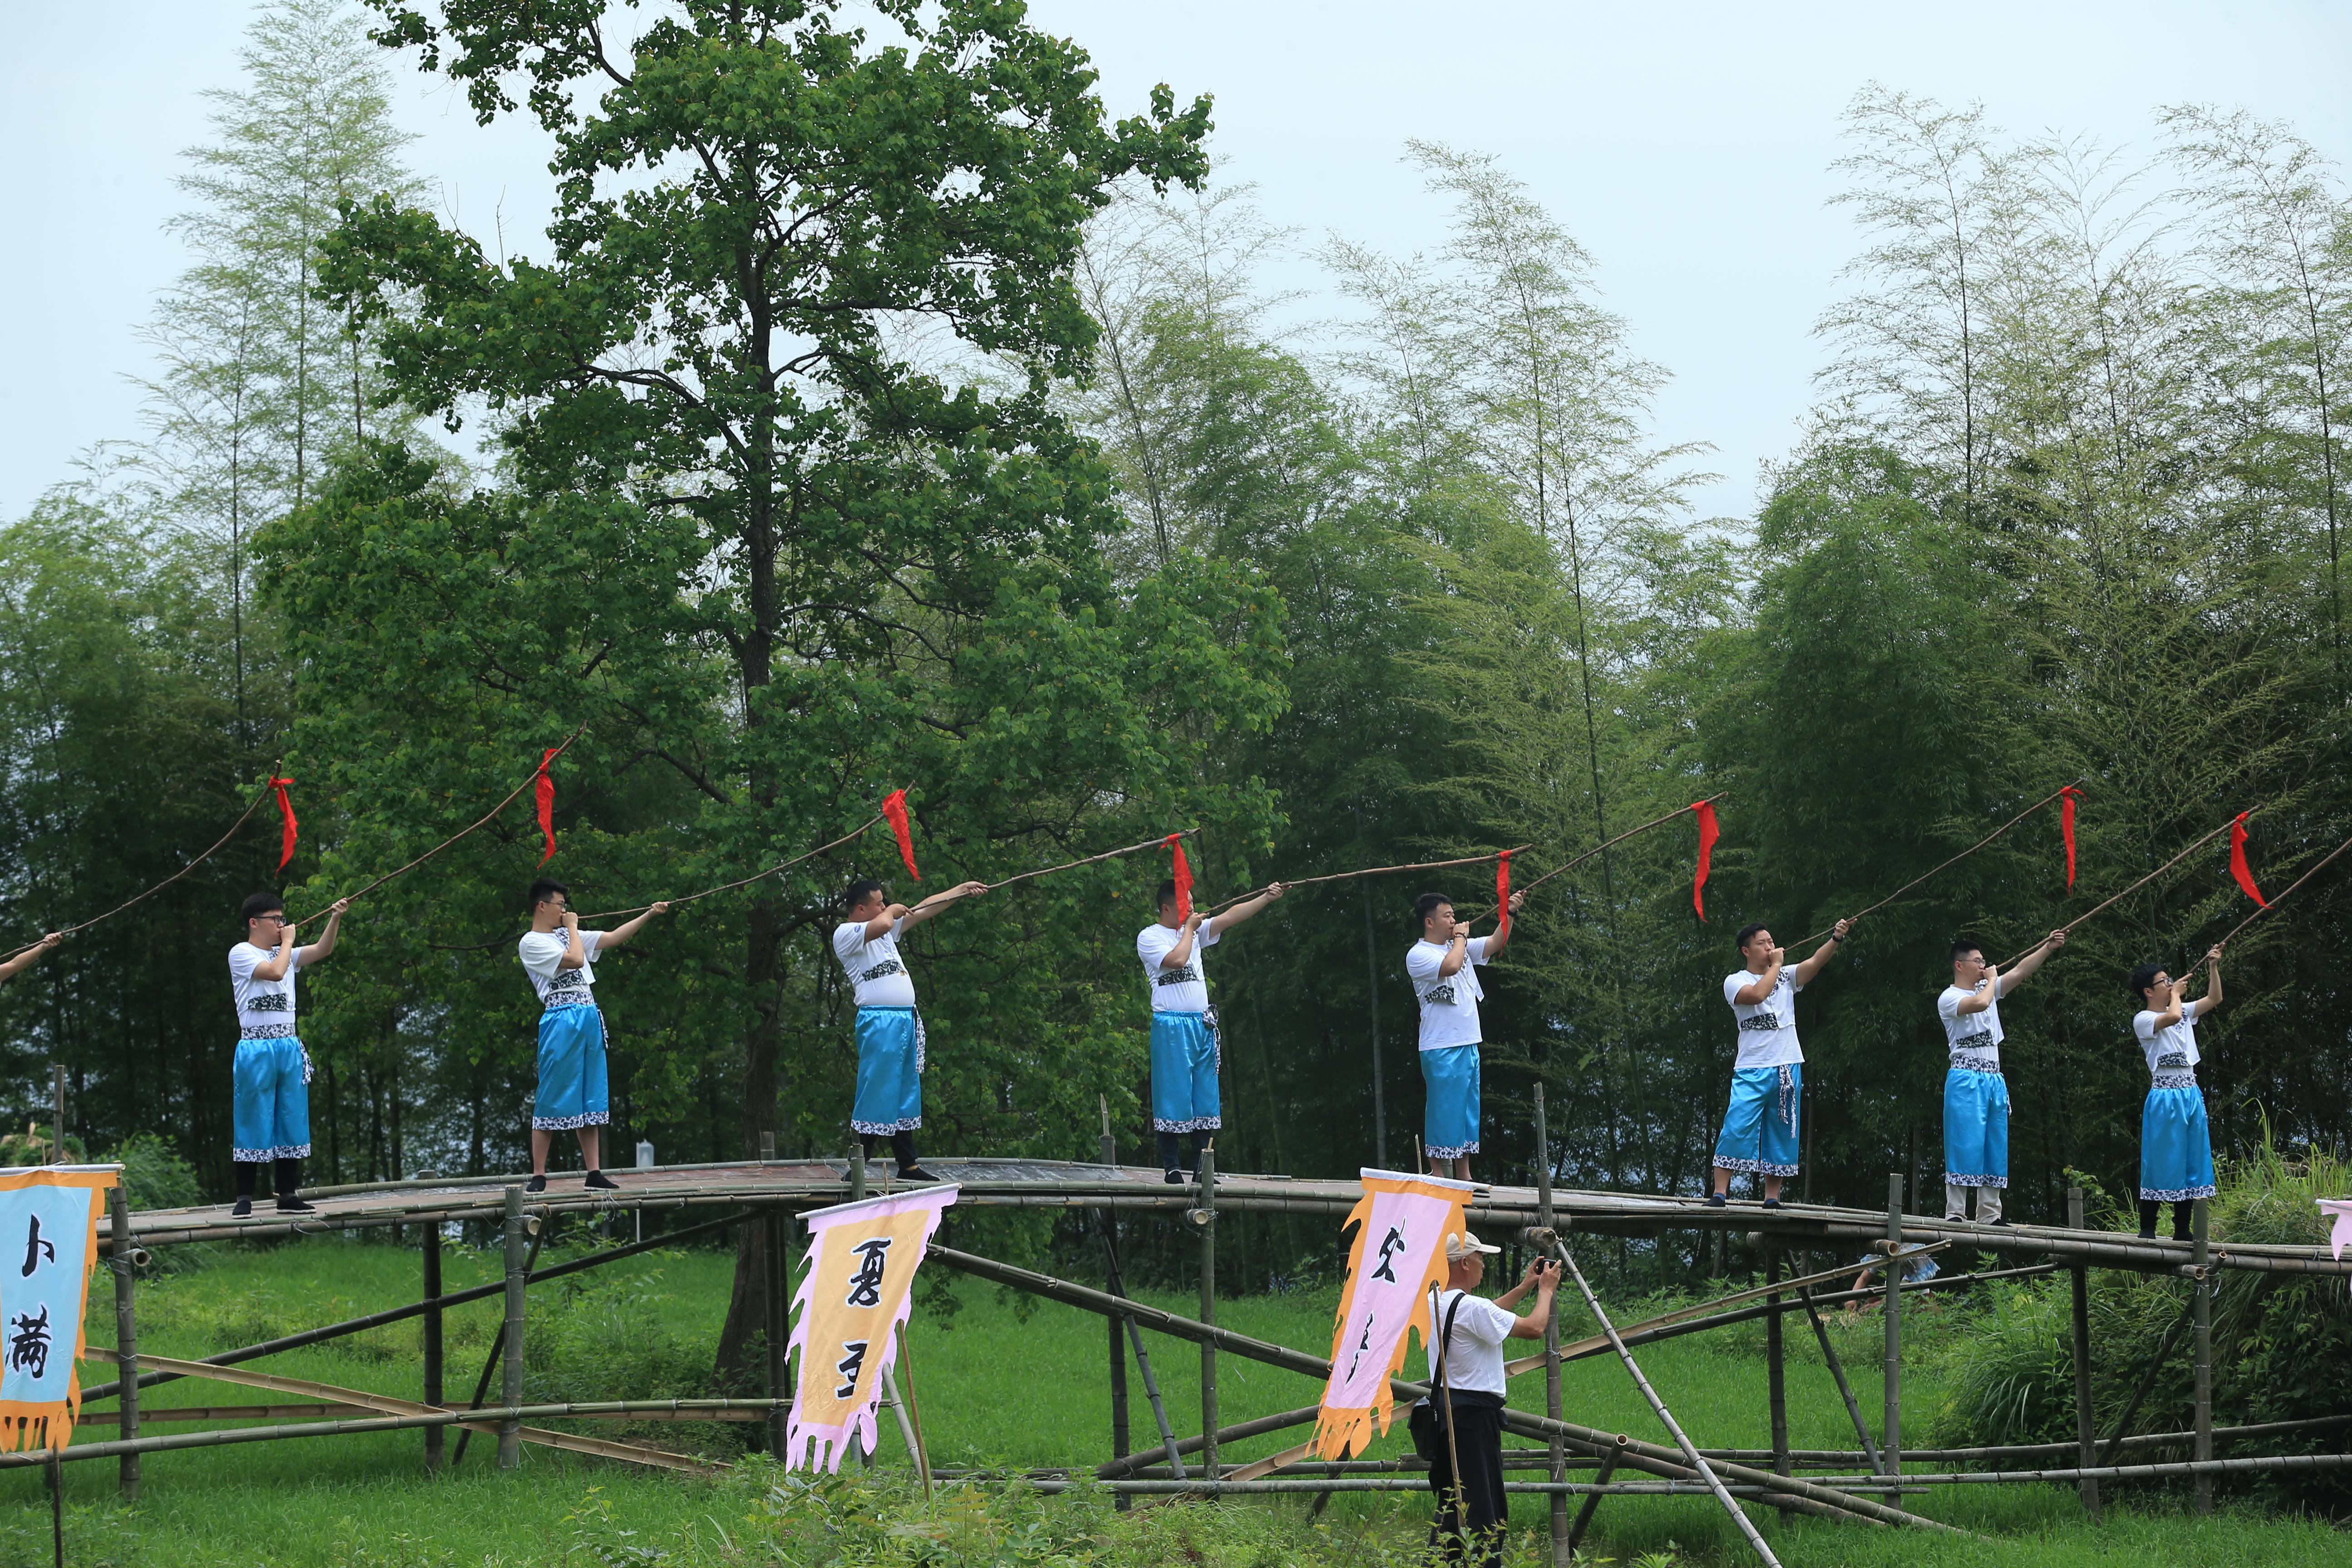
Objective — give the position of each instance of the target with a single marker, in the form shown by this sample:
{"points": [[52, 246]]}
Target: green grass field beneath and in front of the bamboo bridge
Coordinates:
{"points": [[1001, 1383]]}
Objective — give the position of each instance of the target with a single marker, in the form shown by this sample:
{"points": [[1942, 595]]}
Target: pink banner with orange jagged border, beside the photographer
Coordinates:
{"points": [[1398, 1254]]}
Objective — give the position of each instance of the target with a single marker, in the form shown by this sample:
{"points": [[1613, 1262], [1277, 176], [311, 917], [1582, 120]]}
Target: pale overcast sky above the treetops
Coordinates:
{"points": [[1685, 147]]}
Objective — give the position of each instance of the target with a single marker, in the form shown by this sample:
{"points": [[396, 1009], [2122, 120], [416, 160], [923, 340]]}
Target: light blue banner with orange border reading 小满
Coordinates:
{"points": [[48, 1245]]}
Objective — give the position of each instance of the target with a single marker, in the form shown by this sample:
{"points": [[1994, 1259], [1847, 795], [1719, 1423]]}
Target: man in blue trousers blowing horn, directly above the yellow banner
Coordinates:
{"points": [[890, 1028]]}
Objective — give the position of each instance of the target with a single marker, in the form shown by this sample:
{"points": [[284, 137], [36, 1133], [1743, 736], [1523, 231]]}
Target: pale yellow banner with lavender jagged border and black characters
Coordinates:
{"points": [[857, 1289]]}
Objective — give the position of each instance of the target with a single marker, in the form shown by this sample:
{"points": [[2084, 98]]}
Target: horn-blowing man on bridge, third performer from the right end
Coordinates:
{"points": [[1768, 1080]]}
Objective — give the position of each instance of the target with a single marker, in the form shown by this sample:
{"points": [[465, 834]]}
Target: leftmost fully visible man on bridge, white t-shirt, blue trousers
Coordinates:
{"points": [[272, 1104]]}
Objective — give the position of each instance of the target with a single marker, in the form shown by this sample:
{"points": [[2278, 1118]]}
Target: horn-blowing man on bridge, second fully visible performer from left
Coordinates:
{"points": [[573, 1078]]}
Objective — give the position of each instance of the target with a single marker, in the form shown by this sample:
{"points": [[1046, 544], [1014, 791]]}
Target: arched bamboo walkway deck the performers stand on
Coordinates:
{"points": [[1045, 1184]]}
